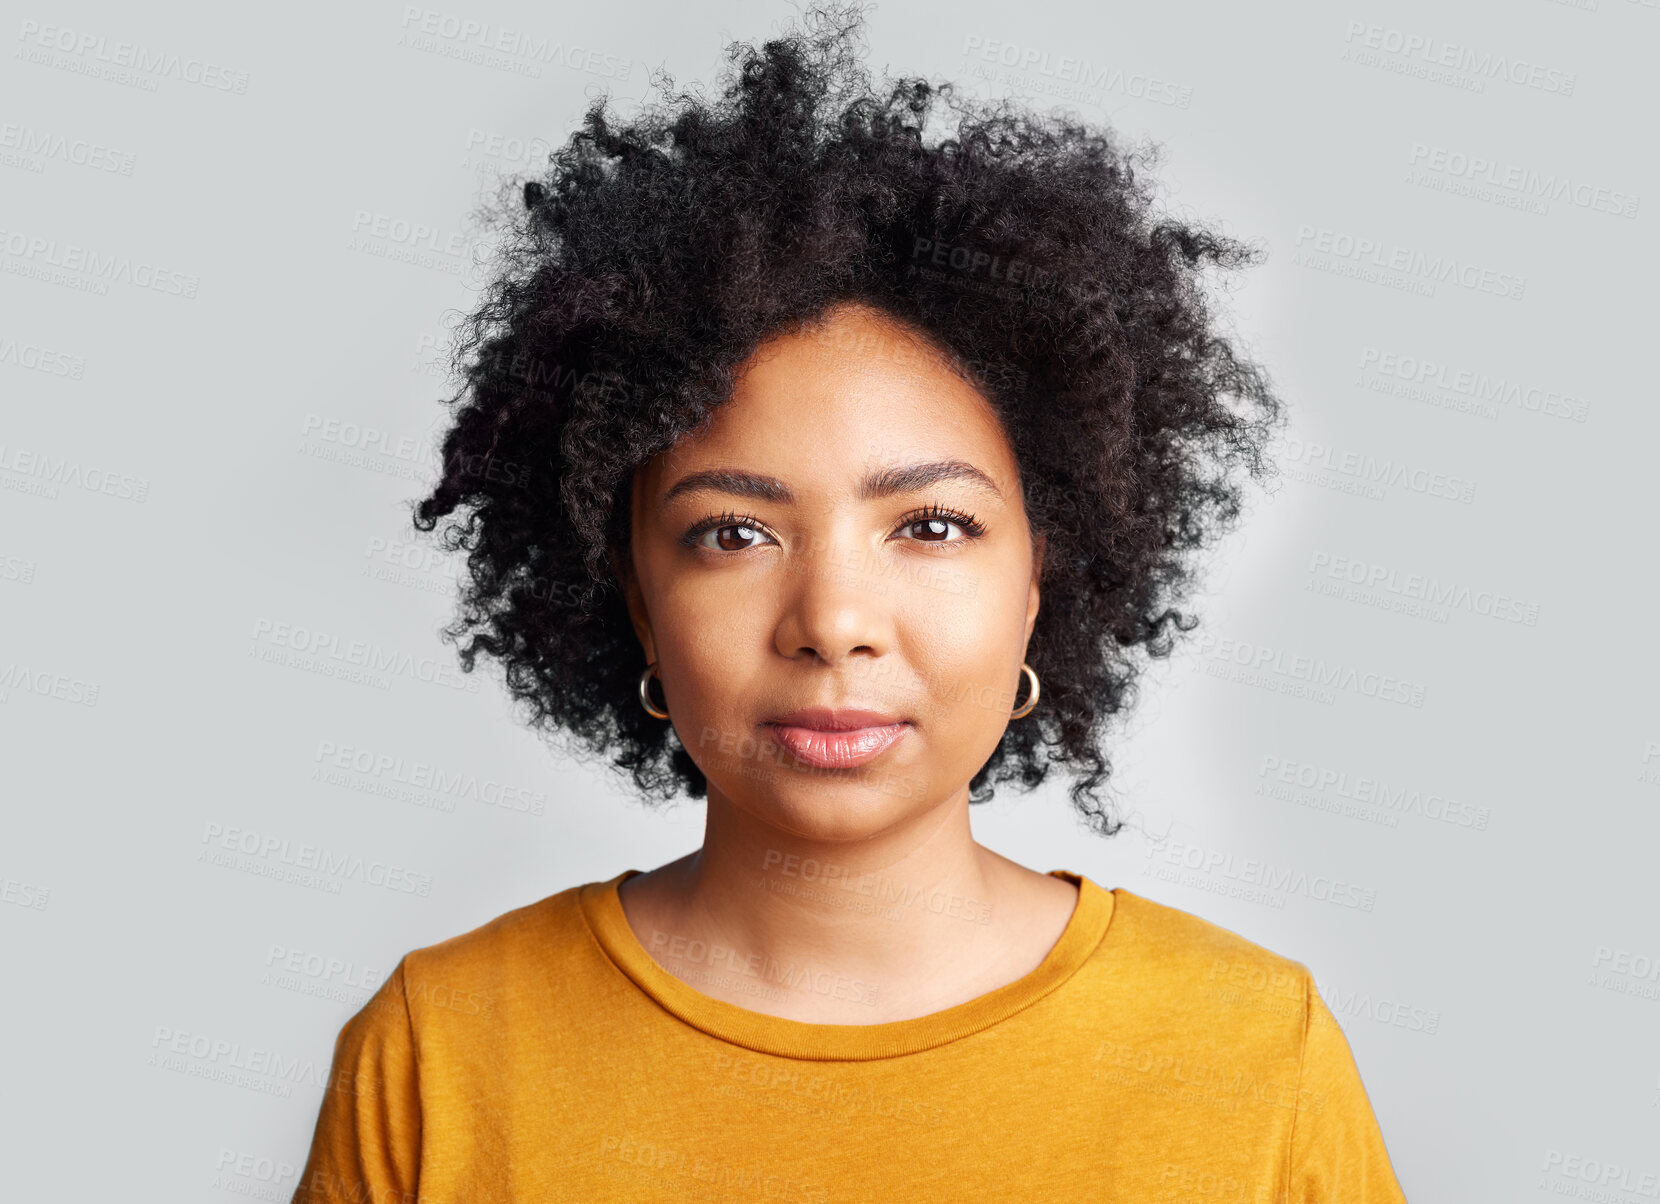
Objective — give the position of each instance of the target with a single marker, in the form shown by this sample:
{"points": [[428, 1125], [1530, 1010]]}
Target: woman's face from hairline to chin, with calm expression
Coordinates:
{"points": [[846, 534]]}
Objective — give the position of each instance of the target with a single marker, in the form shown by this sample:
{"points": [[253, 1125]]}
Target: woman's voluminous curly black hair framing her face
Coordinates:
{"points": [[653, 258]]}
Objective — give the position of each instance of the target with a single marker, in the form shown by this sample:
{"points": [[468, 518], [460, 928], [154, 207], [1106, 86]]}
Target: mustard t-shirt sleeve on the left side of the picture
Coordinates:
{"points": [[366, 1148]]}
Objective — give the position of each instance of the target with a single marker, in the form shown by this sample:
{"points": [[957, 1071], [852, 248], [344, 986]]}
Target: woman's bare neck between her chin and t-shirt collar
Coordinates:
{"points": [[902, 923]]}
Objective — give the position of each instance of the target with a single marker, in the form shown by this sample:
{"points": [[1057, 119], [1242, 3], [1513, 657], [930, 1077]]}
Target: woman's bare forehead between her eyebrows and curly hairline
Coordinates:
{"points": [[824, 404]]}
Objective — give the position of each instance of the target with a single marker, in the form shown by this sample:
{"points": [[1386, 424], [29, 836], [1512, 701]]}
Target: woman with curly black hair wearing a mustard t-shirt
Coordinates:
{"points": [[832, 474]]}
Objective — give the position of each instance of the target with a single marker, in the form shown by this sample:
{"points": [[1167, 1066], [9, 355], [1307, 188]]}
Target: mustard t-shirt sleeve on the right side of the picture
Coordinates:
{"points": [[1337, 1150]]}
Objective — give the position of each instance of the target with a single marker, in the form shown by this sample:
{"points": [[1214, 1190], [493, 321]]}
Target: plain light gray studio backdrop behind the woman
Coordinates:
{"points": [[1415, 743]]}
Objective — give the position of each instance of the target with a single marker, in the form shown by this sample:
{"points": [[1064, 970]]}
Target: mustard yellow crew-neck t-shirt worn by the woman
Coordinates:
{"points": [[547, 1057]]}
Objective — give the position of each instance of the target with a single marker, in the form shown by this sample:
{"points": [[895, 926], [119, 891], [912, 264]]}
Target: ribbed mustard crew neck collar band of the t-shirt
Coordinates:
{"points": [[794, 1039]]}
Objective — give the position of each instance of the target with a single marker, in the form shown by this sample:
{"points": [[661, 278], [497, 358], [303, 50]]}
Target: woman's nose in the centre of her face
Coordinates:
{"points": [[834, 610]]}
